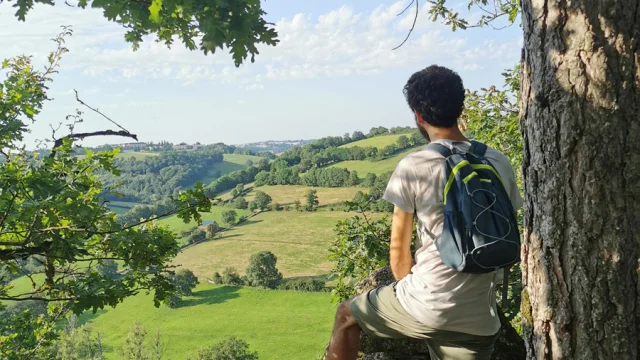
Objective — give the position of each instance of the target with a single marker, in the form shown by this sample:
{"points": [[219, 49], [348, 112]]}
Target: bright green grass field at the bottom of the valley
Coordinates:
{"points": [[276, 324]]}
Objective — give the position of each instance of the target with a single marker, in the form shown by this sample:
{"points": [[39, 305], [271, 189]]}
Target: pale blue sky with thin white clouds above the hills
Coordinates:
{"points": [[333, 72]]}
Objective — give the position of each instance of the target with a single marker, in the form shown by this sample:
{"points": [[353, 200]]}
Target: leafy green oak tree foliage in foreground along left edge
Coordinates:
{"points": [[51, 208]]}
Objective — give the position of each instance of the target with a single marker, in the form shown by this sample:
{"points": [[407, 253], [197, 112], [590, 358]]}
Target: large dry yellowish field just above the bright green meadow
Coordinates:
{"points": [[300, 240]]}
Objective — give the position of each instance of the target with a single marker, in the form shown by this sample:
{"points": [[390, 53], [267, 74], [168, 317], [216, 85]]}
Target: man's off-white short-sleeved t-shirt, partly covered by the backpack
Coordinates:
{"points": [[434, 294]]}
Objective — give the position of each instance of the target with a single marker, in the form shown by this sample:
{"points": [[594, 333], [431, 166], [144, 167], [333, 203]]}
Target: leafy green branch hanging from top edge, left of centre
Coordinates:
{"points": [[207, 25]]}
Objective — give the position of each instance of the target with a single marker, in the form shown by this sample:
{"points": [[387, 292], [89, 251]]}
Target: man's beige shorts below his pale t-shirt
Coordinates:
{"points": [[379, 314]]}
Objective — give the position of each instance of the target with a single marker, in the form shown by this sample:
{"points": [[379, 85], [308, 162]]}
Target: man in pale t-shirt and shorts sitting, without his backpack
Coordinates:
{"points": [[454, 312]]}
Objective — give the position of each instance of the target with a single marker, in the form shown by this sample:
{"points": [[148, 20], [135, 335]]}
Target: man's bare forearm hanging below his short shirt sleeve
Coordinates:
{"points": [[400, 251]]}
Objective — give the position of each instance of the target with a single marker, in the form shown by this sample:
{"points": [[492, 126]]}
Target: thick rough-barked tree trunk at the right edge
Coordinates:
{"points": [[580, 117]]}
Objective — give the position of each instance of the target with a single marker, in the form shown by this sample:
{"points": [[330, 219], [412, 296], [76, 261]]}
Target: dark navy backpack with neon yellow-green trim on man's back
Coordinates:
{"points": [[480, 232]]}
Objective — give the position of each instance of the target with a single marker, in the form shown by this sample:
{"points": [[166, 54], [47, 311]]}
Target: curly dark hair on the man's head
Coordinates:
{"points": [[437, 94]]}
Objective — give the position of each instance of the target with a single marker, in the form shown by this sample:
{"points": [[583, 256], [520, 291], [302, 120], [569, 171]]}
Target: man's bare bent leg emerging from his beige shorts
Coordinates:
{"points": [[345, 340]]}
